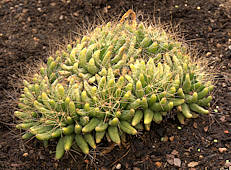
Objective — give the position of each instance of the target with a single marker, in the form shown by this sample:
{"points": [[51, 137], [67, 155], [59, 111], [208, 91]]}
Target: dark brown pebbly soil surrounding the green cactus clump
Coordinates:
{"points": [[31, 30]]}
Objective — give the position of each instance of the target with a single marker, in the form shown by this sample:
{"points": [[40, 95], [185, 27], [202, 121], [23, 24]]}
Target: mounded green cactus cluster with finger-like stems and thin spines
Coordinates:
{"points": [[115, 81]]}
